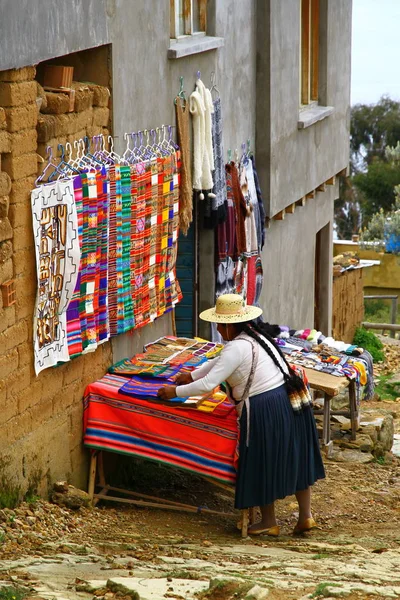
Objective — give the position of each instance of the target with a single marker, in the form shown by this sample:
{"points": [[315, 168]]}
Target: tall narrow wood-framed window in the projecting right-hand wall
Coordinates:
{"points": [[309, 51]]}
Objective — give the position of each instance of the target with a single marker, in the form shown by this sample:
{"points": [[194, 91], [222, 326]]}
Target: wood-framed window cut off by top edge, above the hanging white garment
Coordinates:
{"points": [[187, 17]]}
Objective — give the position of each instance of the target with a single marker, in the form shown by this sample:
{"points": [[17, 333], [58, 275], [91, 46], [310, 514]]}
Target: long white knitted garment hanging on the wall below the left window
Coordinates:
{"points": [[201, 108]]}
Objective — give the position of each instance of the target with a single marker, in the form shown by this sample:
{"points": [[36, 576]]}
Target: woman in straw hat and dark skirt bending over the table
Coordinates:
{"points": [[278, 449]]}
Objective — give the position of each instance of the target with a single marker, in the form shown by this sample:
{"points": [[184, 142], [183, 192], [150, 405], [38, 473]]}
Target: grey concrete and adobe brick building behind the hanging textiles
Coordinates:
{"points": [[283, 71]]}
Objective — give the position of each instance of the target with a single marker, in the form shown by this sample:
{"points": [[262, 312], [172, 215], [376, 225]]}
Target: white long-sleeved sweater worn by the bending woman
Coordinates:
{"points": [[233, 365]]}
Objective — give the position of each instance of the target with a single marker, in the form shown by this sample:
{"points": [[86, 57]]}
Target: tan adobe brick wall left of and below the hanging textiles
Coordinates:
{"points": [[40, 417]]}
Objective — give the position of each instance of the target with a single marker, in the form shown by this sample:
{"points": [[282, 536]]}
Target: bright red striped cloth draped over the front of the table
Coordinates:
{"points": [[200, 442]]}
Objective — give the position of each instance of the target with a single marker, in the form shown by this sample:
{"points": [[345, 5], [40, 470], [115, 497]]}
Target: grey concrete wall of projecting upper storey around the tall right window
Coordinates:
{"points": [[297, 161]]}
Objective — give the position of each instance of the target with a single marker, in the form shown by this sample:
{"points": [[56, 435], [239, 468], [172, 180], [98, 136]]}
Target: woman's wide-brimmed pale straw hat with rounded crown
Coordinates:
{"points": [[230, 308]]}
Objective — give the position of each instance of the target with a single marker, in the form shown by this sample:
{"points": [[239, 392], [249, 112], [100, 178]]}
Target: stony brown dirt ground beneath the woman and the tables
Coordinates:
{"points": [[357, 544]]}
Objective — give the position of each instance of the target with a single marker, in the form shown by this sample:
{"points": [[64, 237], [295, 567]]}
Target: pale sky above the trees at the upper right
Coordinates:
{"points": [[375, 50]]}
